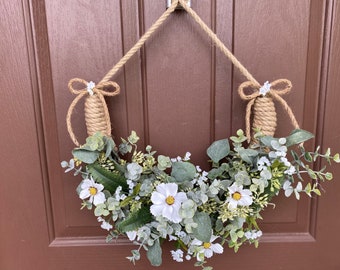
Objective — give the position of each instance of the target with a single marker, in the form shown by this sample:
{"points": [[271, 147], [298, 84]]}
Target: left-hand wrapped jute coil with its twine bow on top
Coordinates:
{"points": [[97, 116]]}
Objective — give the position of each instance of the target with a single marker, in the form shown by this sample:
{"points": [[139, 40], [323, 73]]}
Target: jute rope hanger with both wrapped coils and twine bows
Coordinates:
{"points": [[97, 116]]}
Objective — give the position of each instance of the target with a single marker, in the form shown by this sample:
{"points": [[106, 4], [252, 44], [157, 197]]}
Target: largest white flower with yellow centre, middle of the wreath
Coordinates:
{"points": [[167, 202]]}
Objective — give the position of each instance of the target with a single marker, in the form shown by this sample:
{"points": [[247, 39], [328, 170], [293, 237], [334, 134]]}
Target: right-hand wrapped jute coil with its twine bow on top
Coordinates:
{"points": [[261, 101]]}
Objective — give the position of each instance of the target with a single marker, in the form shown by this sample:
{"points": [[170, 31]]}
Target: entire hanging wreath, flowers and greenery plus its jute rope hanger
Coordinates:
{"points": [[151, 199]]}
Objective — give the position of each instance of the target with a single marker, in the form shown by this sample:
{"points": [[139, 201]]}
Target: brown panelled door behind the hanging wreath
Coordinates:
{"points": [[179, 94]]}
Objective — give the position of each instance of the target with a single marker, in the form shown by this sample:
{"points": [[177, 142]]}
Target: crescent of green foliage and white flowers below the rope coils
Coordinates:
{"points": [[137, 183]]}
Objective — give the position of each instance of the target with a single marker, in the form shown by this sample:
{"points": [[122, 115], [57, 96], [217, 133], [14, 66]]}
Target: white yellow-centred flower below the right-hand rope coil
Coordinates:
{"points": [[239, 196]]}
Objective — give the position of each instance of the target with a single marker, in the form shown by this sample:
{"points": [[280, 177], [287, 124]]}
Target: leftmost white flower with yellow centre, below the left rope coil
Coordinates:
{"points": [[93, 191]]}
